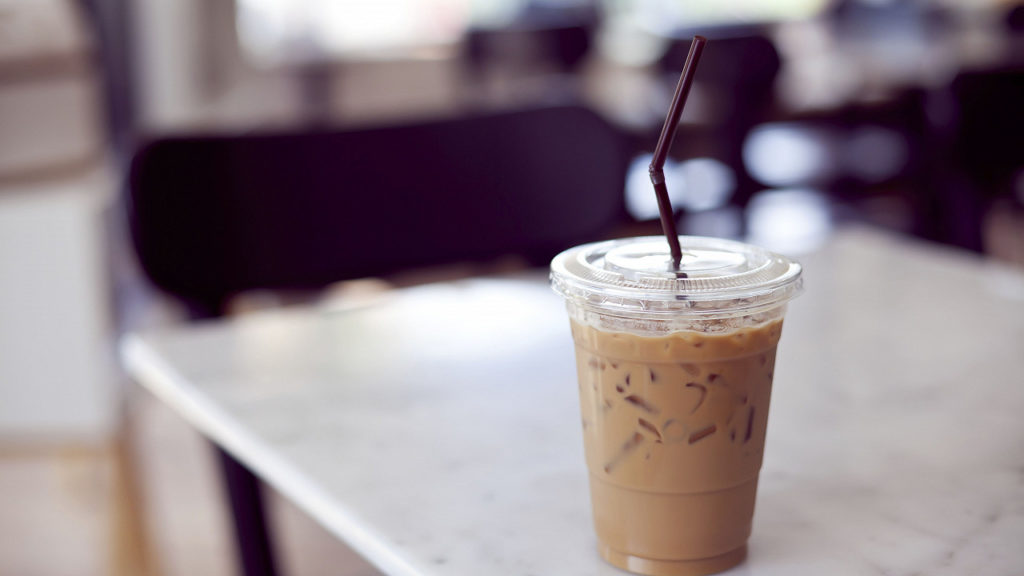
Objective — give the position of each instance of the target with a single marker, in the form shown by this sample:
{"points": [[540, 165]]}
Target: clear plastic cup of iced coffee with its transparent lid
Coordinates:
{"points": [[675, 374]]}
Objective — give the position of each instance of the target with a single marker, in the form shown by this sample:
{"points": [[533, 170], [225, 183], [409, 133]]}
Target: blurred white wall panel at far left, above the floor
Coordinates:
{"points": [[57, 378]]}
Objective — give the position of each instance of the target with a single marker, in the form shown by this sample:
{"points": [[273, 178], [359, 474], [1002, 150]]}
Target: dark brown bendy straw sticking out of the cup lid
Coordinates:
{"points": [[665, 143]]}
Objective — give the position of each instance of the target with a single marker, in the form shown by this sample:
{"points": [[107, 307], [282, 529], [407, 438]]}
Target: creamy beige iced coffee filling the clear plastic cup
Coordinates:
{"points": [[674, 432]]}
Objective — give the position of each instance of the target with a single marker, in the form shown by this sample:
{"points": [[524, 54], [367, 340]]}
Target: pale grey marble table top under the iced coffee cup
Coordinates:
{"points": [[438, 431]]}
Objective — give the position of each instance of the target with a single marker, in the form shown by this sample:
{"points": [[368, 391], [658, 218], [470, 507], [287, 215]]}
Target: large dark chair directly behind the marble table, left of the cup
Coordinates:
{"points": [[214, 217]]}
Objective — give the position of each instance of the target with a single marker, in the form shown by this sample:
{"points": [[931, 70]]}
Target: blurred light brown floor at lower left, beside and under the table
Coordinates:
{"points": [[64, 512]]}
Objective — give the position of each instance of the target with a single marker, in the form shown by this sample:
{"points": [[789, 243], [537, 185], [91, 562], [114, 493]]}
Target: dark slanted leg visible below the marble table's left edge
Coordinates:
{"points": [[244, 491]]}
